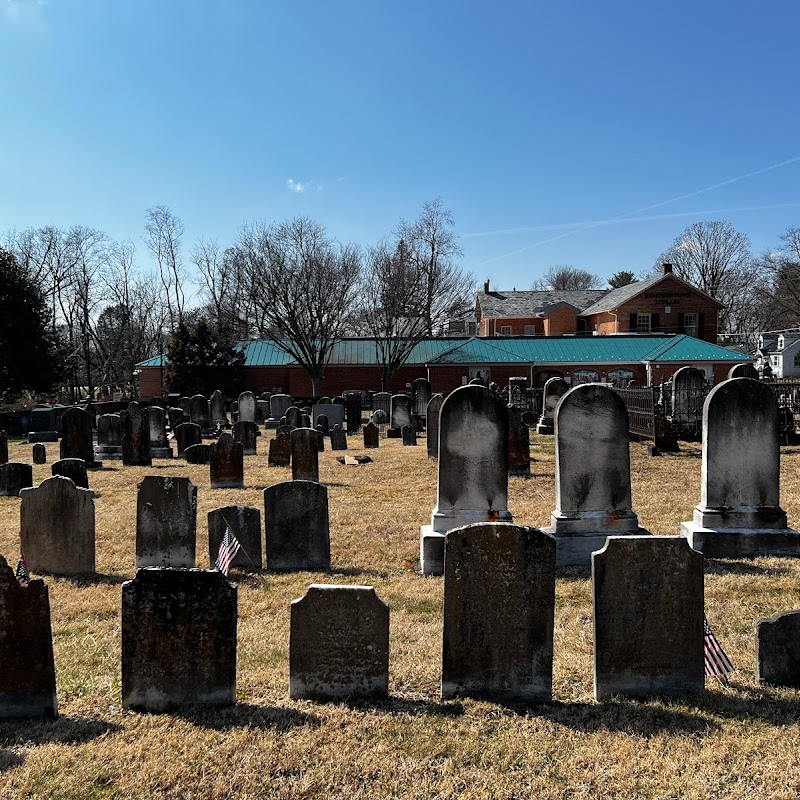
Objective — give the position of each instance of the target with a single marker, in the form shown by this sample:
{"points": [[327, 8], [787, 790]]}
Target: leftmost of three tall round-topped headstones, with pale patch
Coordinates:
{"points": [[472, 468]]}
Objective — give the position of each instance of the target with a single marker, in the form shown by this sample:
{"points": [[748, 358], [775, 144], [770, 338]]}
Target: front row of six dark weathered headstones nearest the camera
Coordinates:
{"points": [[179, 629]]}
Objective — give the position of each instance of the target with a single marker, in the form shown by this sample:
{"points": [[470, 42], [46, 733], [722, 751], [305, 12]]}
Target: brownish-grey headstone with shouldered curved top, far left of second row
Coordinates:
{"points": [[57, 527]]}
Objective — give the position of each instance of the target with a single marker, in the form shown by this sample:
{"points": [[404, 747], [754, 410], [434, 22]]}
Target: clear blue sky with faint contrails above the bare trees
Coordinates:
{"points": [[585, 133]]}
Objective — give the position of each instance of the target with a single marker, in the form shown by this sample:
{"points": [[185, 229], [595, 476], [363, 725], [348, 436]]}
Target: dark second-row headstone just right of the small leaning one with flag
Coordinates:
{"points": [[296, 526]]}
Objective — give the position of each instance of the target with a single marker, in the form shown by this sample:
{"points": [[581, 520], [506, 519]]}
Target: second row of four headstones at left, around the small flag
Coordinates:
{"points": [[57, 526]]}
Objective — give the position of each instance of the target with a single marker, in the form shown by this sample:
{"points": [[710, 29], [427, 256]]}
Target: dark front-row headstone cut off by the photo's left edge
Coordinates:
{"points": [[27, 668]]}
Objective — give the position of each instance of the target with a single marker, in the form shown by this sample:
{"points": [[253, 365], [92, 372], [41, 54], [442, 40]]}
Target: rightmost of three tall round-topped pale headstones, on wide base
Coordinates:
{"points": [[739, 513]]}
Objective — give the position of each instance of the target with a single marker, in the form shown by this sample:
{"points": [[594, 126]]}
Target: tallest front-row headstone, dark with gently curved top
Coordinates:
{"points": [[499, 605]]}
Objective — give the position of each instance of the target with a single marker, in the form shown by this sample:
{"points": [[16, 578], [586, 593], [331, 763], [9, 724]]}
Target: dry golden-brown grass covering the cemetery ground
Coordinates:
{"points": [[737, 741]]}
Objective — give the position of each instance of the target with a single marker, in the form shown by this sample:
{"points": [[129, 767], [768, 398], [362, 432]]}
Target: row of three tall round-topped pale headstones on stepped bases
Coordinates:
{"points": [[739, 513]]}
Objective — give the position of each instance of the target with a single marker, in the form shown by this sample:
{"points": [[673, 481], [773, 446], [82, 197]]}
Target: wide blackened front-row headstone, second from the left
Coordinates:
{"points": [[178, 639]]}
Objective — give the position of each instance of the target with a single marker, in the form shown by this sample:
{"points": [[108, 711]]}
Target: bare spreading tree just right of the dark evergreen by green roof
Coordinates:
{"points": [[303, 284]]}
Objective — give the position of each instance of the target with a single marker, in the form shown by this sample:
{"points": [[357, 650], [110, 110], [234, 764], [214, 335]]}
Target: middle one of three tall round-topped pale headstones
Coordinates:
{"points": [[593, 473]]}
